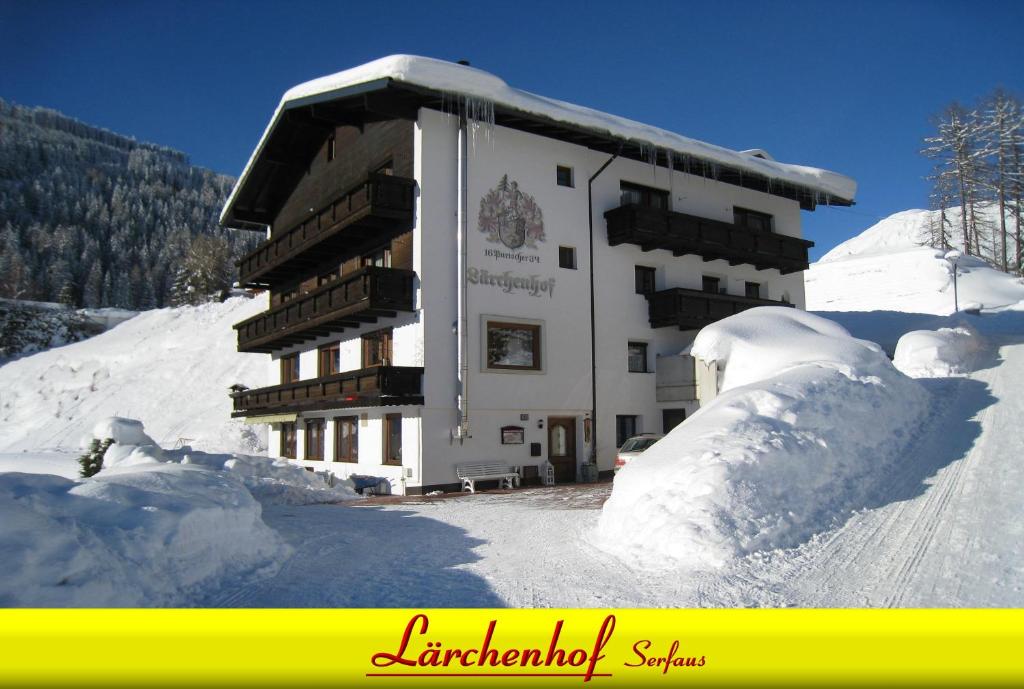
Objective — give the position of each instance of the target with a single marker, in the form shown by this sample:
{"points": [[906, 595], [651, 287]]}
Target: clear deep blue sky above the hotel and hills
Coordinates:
{"points": [[842, 85]]}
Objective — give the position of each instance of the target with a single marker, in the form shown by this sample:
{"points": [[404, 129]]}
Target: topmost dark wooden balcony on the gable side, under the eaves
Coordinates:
{"points": [[380, 207]]}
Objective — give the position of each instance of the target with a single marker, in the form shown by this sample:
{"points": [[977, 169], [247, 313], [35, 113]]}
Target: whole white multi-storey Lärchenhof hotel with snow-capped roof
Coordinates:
{"points": [[457, 272]]}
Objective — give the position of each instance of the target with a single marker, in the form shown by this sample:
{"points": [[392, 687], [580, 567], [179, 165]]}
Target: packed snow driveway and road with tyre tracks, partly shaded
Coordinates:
{"points": [[947, 532]]}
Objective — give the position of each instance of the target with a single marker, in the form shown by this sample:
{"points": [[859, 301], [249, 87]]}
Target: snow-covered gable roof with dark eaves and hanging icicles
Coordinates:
{"points": [[398, 85]]}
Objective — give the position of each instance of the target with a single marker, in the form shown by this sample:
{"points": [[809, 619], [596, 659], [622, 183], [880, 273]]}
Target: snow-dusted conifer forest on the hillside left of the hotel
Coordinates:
{"points": [[92, 219]]}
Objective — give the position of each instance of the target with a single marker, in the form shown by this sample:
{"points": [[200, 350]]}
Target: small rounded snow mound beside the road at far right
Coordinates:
{"points": [[938, 354]]}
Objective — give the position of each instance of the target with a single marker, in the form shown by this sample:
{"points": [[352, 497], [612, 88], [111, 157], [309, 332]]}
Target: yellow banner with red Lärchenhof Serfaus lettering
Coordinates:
{"points": [[510, 649]]}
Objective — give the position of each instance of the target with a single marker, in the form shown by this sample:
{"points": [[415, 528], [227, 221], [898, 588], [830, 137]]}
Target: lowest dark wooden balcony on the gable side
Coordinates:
{"points": [[378, 386]]}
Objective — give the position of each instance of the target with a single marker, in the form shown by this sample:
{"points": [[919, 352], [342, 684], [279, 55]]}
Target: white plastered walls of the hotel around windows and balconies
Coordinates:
{"points": [[563, 386]]}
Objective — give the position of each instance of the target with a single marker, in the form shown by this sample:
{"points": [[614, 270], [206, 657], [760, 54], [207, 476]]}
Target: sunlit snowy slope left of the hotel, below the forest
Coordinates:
{"points": [[170, 368]]}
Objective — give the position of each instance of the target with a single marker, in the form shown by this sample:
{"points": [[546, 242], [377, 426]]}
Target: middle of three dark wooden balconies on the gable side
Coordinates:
{"points": [[364, 296]]}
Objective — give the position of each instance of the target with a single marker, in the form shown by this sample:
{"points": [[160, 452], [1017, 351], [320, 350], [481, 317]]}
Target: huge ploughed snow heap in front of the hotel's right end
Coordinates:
{"points": [[808, 426]]}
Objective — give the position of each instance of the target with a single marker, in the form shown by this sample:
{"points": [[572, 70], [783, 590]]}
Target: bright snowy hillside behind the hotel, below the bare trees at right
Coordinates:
{"points": [[886, 269]]}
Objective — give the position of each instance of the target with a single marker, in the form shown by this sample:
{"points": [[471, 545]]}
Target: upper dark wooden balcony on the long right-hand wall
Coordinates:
{"points": [[681, 234]]}
